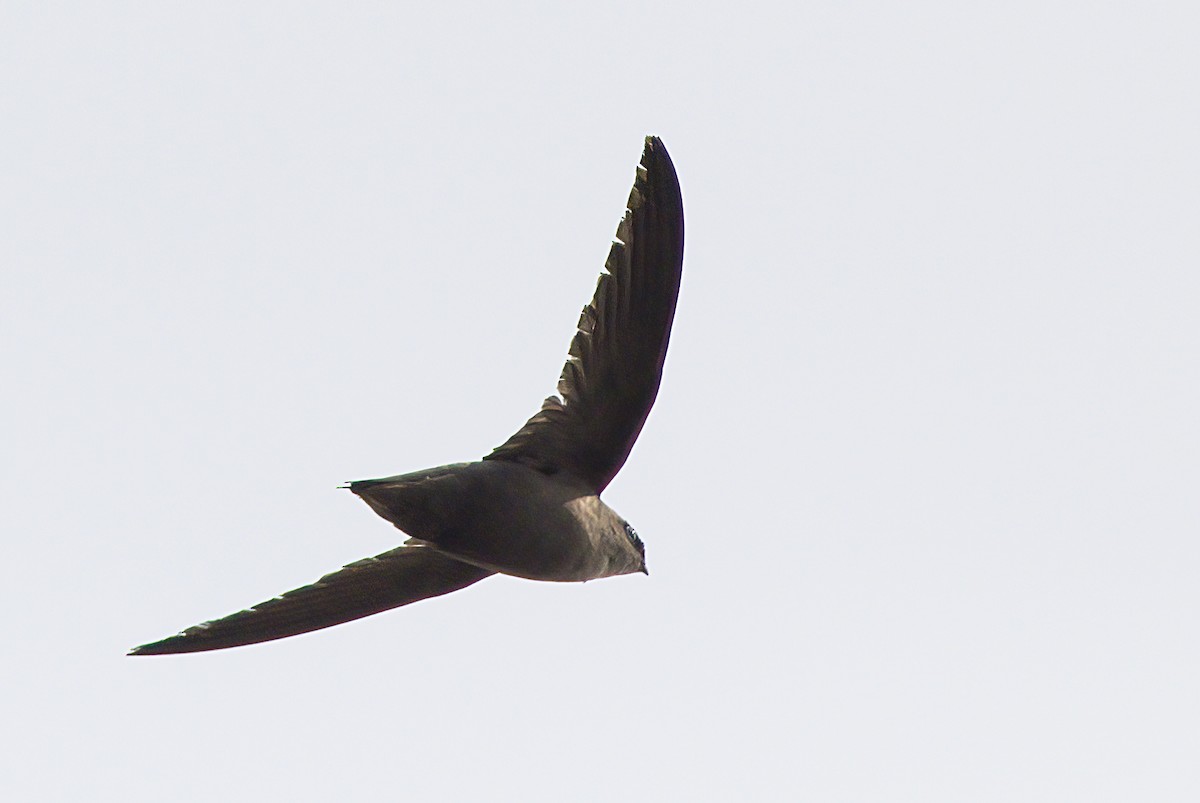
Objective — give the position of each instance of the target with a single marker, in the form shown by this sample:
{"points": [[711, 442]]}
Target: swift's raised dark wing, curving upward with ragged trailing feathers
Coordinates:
{"points": [[615, 363]]}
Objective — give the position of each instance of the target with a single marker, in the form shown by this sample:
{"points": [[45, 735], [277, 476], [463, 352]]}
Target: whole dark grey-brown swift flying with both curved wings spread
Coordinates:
{"points": [[531, 508]]}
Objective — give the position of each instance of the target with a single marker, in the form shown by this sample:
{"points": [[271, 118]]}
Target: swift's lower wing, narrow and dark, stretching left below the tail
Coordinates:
{"points": [[398, 578]]}
